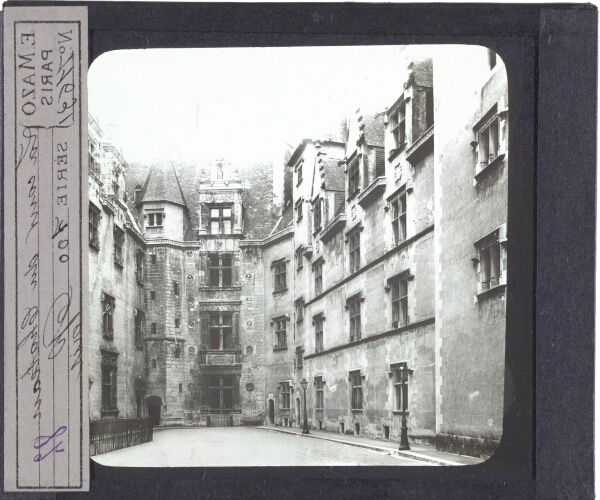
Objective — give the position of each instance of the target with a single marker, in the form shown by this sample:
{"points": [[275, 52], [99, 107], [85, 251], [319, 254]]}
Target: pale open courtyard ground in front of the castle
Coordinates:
{"points": [[246, 447]]}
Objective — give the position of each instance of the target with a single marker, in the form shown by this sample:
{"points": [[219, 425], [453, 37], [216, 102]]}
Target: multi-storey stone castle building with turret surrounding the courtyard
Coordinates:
{"points": [[381, 281]]}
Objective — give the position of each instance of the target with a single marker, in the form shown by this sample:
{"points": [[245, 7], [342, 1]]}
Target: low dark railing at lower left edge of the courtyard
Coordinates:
{"points": [[110, 435]]}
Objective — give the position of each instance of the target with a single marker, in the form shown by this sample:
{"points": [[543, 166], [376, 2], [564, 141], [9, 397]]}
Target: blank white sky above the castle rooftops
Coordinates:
{"points": [[238, 104]]}
